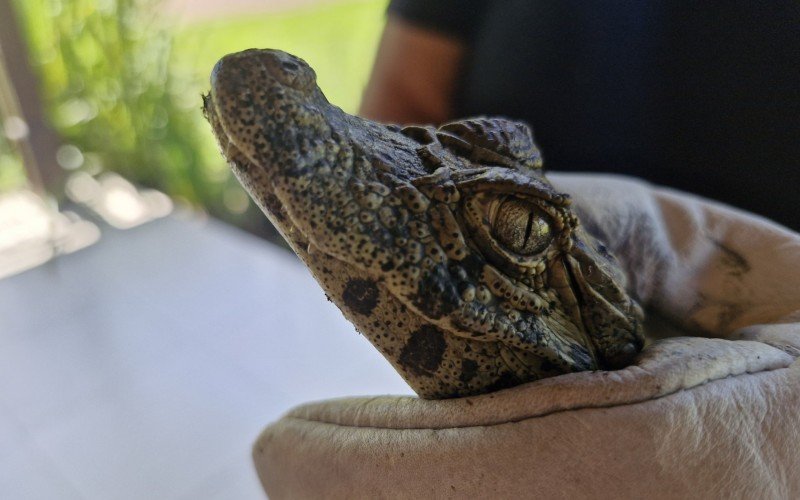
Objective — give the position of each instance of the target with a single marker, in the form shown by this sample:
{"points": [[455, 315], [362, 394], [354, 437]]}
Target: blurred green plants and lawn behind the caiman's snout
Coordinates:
{"points": [[124, 87]]}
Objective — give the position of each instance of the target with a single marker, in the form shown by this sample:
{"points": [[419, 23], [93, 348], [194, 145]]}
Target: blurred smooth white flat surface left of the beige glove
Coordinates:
{"points": [[145, 365]]}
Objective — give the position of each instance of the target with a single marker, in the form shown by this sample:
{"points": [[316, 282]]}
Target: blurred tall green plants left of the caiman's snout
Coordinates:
{"points": [[109, 90]]}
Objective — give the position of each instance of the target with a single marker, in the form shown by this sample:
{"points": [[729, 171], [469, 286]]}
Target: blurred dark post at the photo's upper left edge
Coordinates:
{"points": [[20, 98]]}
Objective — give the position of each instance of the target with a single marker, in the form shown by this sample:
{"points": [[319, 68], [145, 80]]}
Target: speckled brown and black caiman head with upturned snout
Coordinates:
{"points": [[447, 248]]}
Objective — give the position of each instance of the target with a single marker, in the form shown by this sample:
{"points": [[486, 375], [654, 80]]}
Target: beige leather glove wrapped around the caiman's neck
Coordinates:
{"points": [[693, 418]]}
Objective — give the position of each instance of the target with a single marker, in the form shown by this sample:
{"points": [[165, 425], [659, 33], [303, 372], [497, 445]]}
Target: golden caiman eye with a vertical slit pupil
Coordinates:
{"points": [[520, 226]]}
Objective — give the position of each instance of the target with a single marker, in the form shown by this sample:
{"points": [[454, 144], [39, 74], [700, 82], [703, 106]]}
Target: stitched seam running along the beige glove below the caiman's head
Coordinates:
{"points": [[541, 415]]}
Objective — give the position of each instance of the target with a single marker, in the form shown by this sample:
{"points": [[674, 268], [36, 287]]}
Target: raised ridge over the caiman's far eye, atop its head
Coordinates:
{"points": [[492, 141]]}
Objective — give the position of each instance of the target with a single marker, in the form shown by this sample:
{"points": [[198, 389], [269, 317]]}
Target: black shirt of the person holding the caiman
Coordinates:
{"points": [[701, 96]]}
